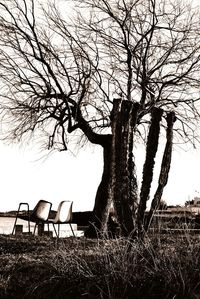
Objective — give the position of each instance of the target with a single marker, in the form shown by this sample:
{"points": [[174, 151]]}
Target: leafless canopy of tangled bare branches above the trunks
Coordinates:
{"points": [[59, 70]]}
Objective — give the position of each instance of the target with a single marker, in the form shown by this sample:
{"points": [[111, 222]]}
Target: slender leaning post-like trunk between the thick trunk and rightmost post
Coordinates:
{"points": [[151, 149]]}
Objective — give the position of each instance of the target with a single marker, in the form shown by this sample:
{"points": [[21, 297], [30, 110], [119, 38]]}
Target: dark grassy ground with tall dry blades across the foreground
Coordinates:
{"points": [[162, 266]]}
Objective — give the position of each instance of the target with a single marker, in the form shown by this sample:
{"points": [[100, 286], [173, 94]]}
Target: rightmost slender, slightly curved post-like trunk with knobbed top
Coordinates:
{"points": [[165, 167]]}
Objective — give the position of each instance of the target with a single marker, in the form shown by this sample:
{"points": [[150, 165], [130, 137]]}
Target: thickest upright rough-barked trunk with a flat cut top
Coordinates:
{"points": [[122, 167]]}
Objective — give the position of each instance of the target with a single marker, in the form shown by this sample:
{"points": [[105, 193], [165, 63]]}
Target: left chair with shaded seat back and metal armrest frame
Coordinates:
{"points": [[39, 214]]}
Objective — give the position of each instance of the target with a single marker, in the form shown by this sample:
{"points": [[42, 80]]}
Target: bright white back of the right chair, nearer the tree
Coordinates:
{"points": [[64, 212]]}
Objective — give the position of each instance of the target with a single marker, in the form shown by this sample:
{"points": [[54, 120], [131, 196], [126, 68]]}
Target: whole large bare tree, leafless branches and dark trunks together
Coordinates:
{"points": [[62, 77]]}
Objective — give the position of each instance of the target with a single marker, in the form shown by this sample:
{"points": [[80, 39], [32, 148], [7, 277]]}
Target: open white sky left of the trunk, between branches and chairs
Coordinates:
{"points": [[59, 176]]}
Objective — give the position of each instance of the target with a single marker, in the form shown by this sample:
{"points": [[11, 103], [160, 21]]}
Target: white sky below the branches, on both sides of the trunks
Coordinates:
{"points": [[26, 176]]}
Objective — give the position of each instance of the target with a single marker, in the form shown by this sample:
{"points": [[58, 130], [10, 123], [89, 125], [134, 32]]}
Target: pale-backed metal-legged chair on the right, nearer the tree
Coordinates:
{"points": [[63, 216]]}
